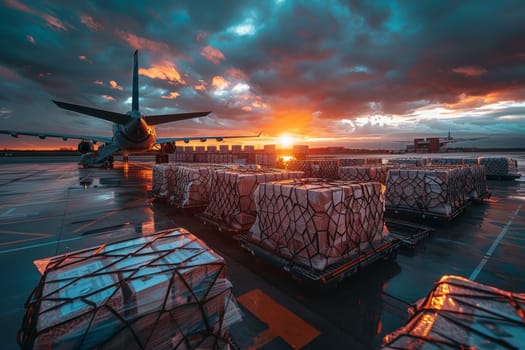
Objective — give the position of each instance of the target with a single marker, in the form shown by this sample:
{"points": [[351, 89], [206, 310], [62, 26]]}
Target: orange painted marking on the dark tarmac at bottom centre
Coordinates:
{"points": [[281, 322]]}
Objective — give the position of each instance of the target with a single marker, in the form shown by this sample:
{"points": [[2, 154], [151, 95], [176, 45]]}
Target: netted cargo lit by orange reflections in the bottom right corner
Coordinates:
{"points": [[462, 314]]}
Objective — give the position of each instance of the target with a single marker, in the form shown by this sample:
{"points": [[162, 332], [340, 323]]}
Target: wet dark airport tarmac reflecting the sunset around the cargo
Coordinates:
{"points": [[49, 208]]}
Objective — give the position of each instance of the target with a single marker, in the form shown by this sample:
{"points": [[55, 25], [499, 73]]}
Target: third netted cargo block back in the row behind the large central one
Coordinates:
{"points": [[192, 184]]}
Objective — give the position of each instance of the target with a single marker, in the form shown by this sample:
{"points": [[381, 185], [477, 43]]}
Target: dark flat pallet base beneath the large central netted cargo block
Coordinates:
{"points": [[334, 273]]}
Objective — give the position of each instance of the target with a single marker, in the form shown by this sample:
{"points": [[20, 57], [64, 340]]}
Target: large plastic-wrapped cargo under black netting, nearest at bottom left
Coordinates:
{"points": [[164, 291]]}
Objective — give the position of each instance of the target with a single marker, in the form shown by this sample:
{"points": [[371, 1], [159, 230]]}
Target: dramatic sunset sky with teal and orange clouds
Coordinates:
{"points": [[348, 73]]}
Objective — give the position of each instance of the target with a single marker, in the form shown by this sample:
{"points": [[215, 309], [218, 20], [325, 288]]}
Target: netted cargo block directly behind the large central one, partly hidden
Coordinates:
{"points": [[231, 202]]}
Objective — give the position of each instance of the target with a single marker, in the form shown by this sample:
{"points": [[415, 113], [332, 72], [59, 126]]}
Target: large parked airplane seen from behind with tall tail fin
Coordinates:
{"points": [[132, 132]]}
